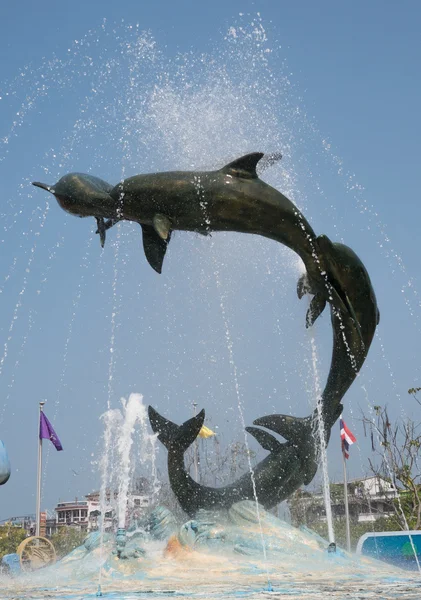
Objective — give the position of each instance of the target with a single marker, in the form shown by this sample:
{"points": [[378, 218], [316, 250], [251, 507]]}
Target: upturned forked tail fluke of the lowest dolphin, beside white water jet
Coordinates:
{"points": [[172, 435]]}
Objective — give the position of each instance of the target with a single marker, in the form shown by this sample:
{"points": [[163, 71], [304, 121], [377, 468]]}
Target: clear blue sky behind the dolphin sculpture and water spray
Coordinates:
{"points": [[122, 88]]}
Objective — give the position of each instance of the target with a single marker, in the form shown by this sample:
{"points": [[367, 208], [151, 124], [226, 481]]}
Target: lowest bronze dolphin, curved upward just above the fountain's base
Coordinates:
{"points": [[288, 465]]}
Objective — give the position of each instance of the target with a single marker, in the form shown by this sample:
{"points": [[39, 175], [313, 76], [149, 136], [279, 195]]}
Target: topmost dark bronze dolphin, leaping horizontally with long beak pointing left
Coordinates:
{"points": [[232, 198]]}
